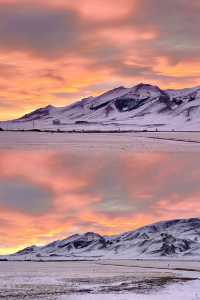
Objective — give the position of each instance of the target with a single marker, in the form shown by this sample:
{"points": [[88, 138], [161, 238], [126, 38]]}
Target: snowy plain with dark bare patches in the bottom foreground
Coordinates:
{"points": [[119, 279]]}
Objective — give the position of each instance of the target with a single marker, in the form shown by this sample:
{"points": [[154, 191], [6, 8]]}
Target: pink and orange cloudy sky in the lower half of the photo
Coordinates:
{"points": [[105, 193]]}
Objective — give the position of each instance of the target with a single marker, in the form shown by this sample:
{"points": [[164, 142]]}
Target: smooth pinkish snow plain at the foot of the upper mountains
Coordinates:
{"points": [[98, 142]]}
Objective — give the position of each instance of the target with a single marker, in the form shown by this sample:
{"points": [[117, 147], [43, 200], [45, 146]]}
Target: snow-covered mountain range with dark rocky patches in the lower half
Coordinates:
{"points": [[175, 239]]}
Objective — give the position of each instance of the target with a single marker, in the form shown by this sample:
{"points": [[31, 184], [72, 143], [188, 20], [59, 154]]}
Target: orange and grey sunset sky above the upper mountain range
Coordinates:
{"points": [[58, 51]]}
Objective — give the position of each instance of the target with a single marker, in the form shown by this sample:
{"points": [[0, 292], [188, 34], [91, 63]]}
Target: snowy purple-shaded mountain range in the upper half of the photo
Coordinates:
{"points": [[142, 107]]}
